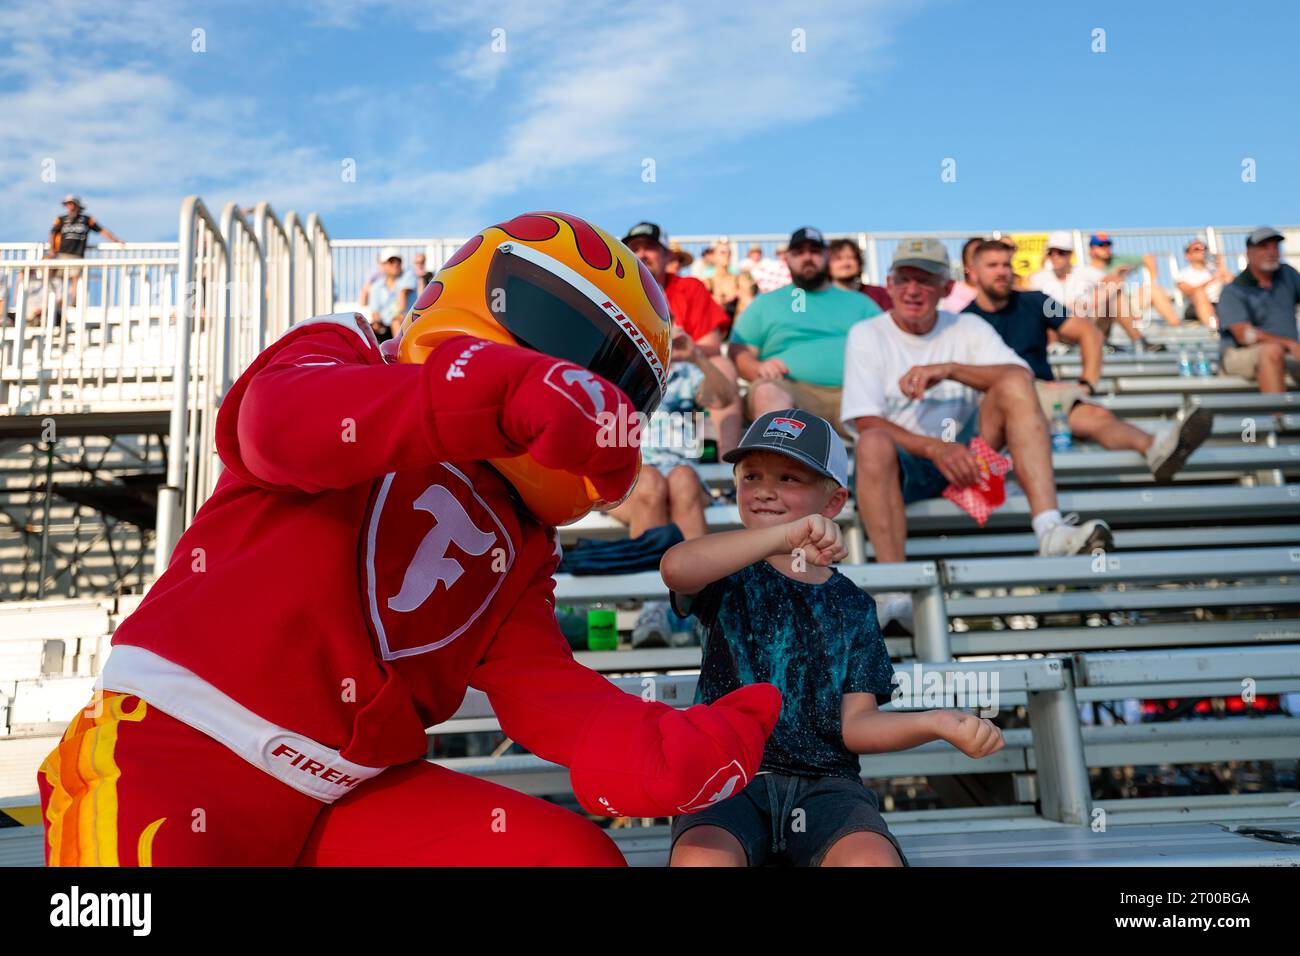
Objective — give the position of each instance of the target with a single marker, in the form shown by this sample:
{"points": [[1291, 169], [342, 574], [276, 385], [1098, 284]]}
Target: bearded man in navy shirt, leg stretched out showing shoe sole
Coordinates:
{"points": [[1024, 321]]}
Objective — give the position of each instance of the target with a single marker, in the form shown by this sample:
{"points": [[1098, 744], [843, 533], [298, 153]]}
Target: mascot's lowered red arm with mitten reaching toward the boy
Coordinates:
{"points": [[626, 756]]}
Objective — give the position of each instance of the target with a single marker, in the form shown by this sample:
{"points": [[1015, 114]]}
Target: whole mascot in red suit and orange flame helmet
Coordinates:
{"points": [[383, 538]]}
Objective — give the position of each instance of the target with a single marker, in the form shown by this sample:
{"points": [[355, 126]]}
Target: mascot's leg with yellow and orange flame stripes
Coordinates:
{"points": [[131, 786]]}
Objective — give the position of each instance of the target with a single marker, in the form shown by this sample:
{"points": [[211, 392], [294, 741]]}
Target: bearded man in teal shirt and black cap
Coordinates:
{"points": [[790, 343]]}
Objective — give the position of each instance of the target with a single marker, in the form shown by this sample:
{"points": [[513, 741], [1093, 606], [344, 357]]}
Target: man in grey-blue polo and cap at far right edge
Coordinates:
{"points": [[1258, 317]]}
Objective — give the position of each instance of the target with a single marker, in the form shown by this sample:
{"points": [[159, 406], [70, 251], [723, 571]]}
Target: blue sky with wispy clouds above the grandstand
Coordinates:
{"points": [[746, 133]]}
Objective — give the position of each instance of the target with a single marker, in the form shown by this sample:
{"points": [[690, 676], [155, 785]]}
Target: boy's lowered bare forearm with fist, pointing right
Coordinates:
{"points": [[866, 729]]}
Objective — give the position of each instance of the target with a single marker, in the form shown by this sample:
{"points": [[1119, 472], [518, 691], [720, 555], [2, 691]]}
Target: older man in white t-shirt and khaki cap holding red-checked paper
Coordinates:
{"points": [[918, 386]]}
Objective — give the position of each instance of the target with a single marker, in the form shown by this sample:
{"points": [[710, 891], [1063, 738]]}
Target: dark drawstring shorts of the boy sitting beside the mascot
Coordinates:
{"points": [[833, 807]]}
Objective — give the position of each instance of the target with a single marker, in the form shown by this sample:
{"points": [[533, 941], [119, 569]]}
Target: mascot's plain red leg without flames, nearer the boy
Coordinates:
{"points": [[422, 815]]}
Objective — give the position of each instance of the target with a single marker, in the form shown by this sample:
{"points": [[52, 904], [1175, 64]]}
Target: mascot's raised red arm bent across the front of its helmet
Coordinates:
{"points": [[318, 417]]}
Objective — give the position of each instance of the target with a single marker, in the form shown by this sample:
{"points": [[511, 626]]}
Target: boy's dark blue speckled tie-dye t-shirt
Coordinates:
{"points": [[814, 642]]}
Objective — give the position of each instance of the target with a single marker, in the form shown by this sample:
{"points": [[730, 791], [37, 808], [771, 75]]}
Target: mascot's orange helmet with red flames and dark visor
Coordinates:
{"points": [[556, 284]]}
